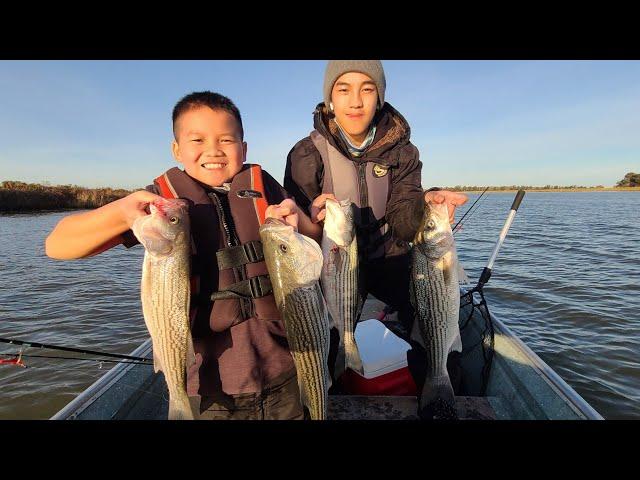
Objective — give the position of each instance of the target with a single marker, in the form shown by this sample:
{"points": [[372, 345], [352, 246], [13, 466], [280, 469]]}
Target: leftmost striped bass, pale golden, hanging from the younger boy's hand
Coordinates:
{"points": [[165, 290]]}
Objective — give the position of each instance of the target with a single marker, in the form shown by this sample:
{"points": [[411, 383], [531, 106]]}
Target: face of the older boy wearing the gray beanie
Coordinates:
{"points": [[354, 97]]}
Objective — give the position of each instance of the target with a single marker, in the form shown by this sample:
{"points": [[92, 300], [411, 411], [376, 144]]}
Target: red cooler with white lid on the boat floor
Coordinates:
{"points": [[384, 361]]}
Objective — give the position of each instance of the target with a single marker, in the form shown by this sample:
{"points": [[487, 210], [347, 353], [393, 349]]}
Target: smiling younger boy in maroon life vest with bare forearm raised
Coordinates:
{"points": [[243, 369]]}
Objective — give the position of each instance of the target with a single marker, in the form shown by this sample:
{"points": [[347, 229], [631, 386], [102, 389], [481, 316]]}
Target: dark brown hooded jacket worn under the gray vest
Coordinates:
{"points": [[391, 149]]}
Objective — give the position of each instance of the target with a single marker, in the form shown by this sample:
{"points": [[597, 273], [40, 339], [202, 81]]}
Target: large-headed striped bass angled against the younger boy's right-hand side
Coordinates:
{"points": [[294, 262]]}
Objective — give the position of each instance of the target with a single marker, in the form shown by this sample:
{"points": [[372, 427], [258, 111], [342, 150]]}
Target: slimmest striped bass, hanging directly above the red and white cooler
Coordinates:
{"points": [[340, 280]]}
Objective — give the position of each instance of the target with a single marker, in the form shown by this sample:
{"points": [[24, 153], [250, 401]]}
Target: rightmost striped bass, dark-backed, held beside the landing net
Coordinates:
{"points": [[435, 296]]}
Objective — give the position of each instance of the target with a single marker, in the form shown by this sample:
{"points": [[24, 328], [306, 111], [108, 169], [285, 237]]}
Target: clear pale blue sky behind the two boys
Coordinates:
{"points": [[108, 123]]}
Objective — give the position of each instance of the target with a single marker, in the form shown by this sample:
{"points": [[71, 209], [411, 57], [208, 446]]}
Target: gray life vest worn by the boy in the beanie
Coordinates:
{"points": [[366, 184]]}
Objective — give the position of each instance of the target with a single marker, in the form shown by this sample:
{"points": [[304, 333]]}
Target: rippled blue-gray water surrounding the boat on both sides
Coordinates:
{"points": [[567, 281]]}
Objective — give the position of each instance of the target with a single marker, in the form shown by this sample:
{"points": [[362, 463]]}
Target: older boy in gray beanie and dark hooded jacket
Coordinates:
{"points": [[360, 149]]}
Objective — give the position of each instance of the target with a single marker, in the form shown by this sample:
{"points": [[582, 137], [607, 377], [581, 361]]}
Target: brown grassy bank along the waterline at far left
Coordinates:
{"points": [[20, 196]]}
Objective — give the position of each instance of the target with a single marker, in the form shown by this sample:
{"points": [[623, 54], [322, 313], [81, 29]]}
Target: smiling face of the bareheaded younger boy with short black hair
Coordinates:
{"points": [[209, 145]]}
